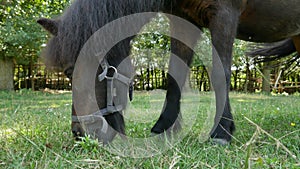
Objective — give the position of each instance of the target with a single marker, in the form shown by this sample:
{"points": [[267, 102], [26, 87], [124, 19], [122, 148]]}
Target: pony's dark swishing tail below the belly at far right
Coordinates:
{"points": [[273, 51]]}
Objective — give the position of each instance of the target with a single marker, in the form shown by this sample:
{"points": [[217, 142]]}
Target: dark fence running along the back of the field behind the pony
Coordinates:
{"points": [[37, 77]]}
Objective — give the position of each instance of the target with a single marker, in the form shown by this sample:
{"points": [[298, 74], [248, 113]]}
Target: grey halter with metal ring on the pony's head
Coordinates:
{"points": [[110, 73]]}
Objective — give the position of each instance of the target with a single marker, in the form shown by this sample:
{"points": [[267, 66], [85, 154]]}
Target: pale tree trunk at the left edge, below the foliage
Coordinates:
{"points": [[6, 74]]}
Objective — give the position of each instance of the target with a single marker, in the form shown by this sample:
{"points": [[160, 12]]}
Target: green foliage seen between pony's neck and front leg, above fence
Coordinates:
{"points": [[151, 48]]}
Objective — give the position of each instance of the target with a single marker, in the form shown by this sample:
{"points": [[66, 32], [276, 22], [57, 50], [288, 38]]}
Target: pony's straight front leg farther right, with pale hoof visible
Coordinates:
{"points": [[223, 30]]}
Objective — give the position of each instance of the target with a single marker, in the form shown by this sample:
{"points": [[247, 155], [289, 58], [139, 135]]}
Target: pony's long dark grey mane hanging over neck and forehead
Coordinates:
{"points": [[85, 17]]}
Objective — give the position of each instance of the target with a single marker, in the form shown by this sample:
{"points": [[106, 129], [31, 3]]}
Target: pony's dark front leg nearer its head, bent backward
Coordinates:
{"points": [[180, 60]]}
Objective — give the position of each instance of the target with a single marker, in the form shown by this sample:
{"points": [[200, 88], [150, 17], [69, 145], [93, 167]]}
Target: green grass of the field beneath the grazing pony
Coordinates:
{"points": [[35, 133]]}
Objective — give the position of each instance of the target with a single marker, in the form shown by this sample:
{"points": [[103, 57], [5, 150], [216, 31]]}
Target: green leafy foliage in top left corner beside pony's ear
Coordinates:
{"points": [[21, 37]]}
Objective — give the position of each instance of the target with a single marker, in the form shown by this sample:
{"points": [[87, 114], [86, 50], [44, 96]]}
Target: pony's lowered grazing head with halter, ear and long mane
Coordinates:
{"points": [[71, 32]]}
